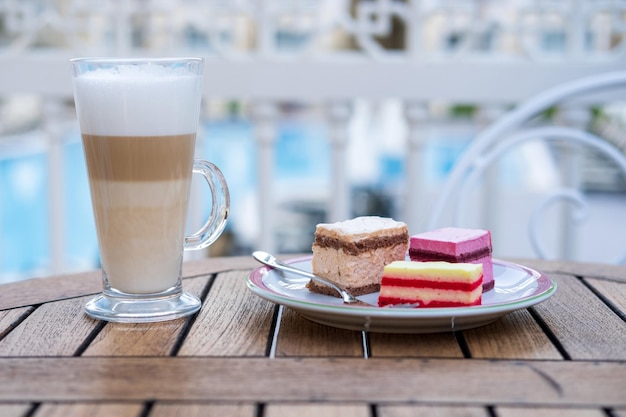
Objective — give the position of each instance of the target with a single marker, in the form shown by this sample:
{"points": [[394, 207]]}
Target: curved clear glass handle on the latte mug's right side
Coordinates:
{"points": [[220, 206]]}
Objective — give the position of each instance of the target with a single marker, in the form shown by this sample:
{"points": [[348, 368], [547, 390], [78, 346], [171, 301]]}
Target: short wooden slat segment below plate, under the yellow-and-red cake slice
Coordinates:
{"points": [[437, 345]]}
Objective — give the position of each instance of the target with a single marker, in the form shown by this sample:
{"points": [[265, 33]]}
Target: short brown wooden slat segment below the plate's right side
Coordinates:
{"points": [[514, 336]]}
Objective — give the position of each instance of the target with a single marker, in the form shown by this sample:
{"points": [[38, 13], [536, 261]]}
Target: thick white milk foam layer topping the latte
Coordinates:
{"points": [[138, 100]]}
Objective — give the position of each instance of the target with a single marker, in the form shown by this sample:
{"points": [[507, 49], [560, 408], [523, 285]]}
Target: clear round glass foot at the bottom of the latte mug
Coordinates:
{"points": [[144, 308]]}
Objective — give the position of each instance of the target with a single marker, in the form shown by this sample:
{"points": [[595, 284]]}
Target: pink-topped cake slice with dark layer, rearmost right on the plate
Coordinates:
{"points": [[453, 244]]}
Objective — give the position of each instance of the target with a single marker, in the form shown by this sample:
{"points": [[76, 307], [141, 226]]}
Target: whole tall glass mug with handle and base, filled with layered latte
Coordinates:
{"points": [[138, 119]]}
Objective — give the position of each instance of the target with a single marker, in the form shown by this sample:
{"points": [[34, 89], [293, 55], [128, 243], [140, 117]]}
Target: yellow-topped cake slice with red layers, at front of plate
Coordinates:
{"points": [[431, 284]]}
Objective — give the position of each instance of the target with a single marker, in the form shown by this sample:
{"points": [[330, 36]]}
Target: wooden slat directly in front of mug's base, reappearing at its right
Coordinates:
{"points": [[143, 339]]}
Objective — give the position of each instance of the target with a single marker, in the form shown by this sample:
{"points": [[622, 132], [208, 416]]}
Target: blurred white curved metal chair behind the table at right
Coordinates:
{"points": [[515, 128]]}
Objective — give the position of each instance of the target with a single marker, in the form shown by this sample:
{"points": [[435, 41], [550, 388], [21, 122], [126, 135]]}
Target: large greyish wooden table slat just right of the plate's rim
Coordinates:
{"points": [[583, 324]]}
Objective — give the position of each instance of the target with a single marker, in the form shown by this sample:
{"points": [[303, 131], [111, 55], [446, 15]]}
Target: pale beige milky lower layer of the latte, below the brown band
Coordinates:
{"points": [[141, 232]]}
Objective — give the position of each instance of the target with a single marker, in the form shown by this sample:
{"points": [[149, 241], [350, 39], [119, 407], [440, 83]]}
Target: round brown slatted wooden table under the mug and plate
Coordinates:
{"points": [[566, 355]]}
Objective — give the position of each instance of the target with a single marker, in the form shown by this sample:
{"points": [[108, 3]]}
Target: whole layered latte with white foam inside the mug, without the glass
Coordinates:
{"points": [[138, 126]]}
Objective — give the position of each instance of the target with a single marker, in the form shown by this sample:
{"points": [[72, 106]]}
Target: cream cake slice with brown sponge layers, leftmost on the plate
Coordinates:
{"points": [[354, 252]]}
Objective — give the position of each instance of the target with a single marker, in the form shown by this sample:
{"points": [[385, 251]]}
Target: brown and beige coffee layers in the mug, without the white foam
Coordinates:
{"points": [[140, 202]]}
